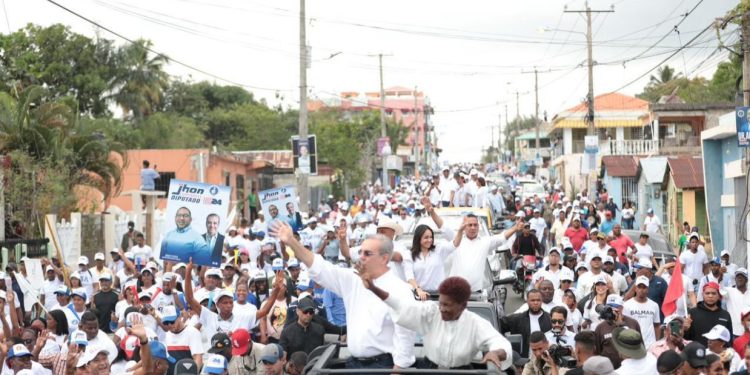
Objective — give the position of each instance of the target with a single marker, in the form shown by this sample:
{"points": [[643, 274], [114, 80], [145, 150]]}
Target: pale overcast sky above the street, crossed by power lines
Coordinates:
{"points": [[469, 57]]}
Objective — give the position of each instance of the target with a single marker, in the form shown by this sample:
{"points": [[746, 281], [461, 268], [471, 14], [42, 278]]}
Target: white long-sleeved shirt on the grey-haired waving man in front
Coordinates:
{"points": [[371, 330]]}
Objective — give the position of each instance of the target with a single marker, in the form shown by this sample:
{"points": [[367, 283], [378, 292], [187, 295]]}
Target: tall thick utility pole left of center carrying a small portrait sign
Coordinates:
{"points": [[302, 177]]}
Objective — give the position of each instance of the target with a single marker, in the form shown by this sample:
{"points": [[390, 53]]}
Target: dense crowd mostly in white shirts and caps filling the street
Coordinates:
{"points": [[596, 302]]}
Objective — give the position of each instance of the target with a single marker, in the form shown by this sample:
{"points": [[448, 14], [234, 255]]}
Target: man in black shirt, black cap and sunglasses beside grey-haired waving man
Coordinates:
{"points": [[304, 334]]}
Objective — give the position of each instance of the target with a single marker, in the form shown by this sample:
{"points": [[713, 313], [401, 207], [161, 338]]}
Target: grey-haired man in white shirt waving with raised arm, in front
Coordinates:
{"points": [[374, 340]]}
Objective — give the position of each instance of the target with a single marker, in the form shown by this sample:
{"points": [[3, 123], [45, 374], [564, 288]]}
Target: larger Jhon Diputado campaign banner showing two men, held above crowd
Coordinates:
{"points": [[196, 219]]}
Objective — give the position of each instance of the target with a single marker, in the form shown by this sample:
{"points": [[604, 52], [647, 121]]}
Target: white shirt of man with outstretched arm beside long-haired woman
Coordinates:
{"points": [[470, 259]]}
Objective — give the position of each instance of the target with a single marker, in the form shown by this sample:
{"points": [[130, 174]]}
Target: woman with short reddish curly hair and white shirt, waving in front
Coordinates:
{"points": [[452, 334]]}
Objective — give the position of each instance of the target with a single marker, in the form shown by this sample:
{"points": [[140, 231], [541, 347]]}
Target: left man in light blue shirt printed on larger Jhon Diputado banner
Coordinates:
{"points": [[182, 243]]}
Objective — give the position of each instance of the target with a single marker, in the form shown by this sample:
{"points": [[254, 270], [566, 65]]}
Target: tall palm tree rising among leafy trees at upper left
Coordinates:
{"points": [[138, 88]]}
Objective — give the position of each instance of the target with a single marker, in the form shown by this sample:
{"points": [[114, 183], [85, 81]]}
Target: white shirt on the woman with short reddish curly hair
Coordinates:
{"points": [[449, 343]]}
